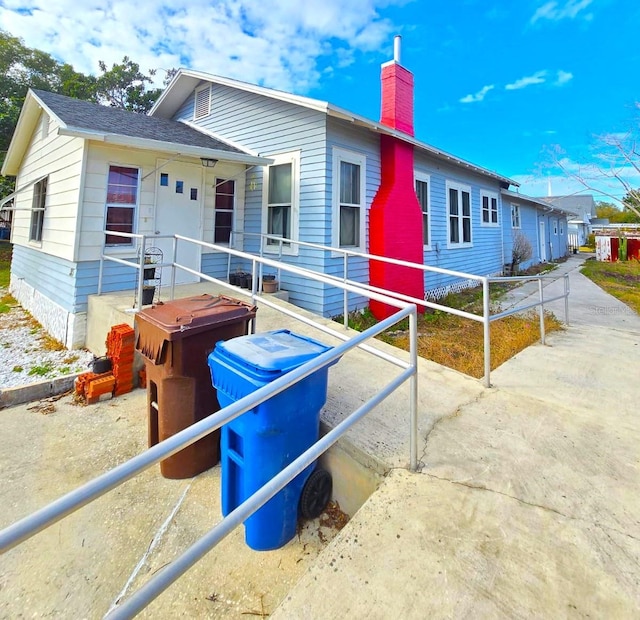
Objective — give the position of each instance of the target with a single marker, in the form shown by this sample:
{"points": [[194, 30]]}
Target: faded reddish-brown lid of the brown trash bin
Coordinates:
{"points": [[195, 313]]}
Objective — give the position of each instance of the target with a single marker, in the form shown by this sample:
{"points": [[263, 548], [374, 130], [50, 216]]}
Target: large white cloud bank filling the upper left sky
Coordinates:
{"points": [[277, 43]]}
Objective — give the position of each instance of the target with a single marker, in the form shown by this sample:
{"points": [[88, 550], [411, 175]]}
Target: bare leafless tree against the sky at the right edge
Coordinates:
{"points": [[619, 157]]}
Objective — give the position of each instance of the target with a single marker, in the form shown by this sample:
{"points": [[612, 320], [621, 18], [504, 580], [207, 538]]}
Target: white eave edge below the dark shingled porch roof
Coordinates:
{"points": [[167, 147]]}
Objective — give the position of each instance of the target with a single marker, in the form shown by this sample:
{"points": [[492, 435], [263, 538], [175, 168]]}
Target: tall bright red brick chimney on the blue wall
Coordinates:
{"points": [[395, 217]]}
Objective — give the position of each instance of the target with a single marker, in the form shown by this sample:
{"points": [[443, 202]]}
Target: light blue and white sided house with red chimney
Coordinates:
{"points": [[228, 162]]}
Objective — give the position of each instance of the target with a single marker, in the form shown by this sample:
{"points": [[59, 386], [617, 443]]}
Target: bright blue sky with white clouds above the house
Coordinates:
{"points": [[536, 90]]}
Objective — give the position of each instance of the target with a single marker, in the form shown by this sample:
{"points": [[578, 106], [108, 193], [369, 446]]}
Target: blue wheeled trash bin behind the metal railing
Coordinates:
{"points": [[261, 442]]}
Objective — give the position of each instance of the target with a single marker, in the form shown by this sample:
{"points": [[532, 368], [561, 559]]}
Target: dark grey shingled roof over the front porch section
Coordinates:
{"points": [[93, 117]]}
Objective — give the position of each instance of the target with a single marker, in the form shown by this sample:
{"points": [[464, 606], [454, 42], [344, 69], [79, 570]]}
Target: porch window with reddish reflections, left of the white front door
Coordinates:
{"points": [[122, 199]]}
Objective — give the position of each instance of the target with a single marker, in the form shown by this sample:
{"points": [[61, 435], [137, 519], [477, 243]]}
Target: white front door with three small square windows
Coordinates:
{"points": [[179, 212]]}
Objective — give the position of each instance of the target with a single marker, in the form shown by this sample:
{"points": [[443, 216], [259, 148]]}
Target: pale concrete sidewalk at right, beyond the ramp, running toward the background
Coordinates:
{"points": [[527, 505]]}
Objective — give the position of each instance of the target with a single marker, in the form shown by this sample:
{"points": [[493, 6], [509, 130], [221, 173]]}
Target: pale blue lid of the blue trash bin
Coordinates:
{"points": [[275, 352]]}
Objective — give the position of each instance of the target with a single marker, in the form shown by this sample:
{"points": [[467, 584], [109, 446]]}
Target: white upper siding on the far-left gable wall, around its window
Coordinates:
{"points": [[60, 158]]}
